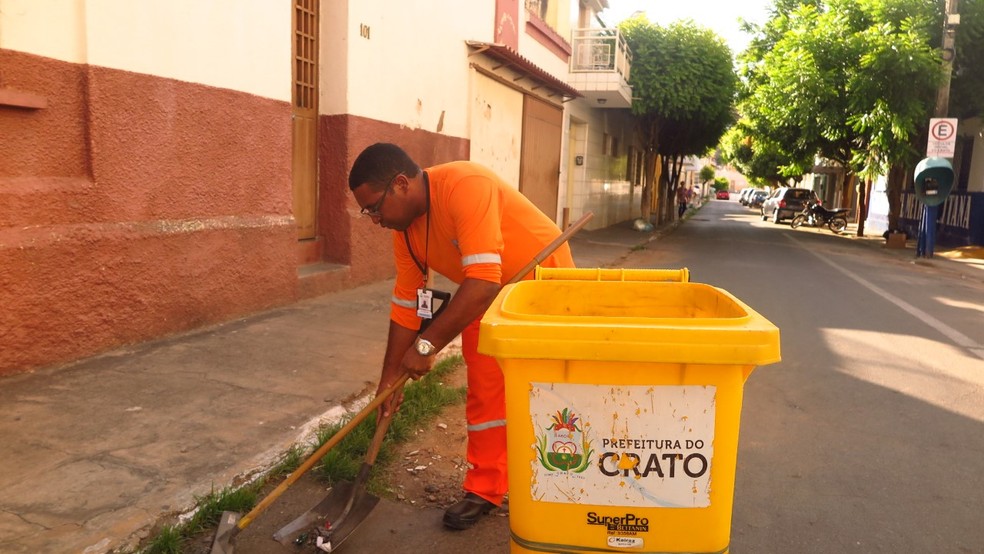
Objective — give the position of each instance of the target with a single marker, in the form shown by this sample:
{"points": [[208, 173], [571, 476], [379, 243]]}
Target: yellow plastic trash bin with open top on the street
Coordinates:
{"points": [[623, 405]]}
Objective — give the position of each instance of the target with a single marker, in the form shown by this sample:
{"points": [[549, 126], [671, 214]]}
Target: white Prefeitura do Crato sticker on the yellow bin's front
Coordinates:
{"points": [[651, 446]]}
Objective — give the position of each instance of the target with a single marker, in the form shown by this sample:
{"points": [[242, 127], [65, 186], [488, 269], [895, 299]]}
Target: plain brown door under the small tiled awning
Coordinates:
{"points": [[539, 167]]}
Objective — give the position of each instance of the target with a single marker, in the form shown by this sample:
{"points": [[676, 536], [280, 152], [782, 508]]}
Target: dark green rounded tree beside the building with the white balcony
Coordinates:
{"points": [[683, 87]]}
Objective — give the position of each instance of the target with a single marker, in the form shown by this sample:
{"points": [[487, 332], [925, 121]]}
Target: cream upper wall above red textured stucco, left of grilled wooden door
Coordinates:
{"points": [[241, 45]]}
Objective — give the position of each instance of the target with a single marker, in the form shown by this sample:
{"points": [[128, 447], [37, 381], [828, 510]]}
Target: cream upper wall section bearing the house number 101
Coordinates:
{"points": [[408, 62]]}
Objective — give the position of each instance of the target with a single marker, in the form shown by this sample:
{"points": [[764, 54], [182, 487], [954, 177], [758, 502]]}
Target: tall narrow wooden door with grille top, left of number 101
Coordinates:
{"points": [[304, 117]]}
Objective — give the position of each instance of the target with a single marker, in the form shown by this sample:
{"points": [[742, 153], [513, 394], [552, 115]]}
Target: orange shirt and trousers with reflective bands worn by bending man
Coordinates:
{"points": [[480, 228]]}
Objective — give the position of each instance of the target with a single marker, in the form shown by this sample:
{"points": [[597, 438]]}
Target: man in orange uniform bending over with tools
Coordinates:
{"points": [[466, 223]]}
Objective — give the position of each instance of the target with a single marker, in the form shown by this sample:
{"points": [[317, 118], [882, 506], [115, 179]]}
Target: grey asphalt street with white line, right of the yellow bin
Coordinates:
{"points": [[867, 437]]}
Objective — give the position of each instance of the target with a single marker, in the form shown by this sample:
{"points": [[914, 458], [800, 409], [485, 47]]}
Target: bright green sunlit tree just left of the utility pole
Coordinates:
{"points": [[849, 80]]}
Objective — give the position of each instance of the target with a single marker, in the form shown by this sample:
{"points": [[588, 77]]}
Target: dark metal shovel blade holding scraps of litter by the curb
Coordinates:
{"points": [[331, 510]]}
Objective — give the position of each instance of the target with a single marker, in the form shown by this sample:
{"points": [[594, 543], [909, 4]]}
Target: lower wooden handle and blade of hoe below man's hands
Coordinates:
{"points": [[231, 523]]}
